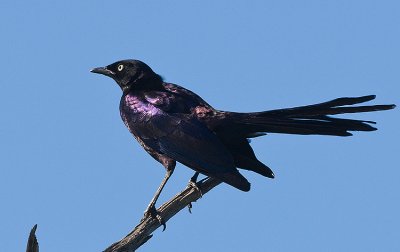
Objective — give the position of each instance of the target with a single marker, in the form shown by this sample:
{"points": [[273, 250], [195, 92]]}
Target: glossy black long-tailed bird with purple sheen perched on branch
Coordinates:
{"points": [[174, 124]]}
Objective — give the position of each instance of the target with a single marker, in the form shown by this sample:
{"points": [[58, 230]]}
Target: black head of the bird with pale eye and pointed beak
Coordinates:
{"points": [[131, 74]]}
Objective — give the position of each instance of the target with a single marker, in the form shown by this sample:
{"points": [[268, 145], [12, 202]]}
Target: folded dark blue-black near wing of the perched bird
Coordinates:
{"points": [[191, 143]]}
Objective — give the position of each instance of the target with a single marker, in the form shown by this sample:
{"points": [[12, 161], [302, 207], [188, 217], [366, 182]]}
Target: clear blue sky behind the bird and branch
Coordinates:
{"points": [[68, 163]]}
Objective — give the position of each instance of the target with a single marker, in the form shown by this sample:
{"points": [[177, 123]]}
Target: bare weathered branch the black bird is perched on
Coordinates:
{"points": [[143, 231]]}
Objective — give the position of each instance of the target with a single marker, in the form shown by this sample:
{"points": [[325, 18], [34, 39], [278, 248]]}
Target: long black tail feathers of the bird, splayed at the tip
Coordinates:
{"points": [[309, 120]]}
